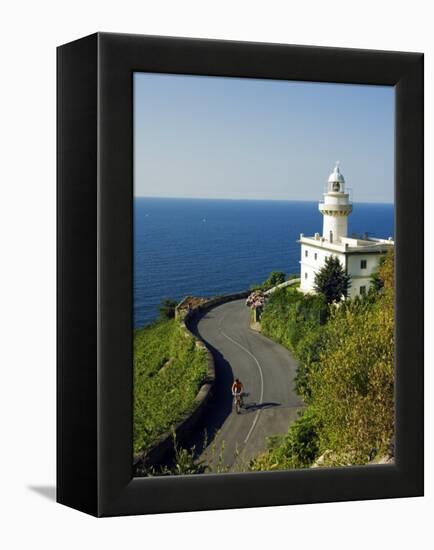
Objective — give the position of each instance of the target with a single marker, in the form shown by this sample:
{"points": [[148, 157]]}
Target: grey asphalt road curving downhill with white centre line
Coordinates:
{"points": [[267, 372]]}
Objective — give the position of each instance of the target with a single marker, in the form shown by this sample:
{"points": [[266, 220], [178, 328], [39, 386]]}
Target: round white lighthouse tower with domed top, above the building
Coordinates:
{"points": [[335, 208]]}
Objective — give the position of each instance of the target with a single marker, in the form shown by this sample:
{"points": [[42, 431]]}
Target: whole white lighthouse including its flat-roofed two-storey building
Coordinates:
{"points": [[359, 257]]}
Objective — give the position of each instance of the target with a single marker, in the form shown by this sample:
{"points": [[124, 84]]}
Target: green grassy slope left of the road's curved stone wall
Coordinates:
{"points": [[168, 371]]}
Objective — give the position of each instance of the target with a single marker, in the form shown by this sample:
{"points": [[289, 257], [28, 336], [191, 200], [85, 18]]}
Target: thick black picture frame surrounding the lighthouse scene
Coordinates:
{"points": [[95, 199]]}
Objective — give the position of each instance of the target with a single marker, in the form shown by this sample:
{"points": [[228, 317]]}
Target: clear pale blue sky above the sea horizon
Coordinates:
{"points": [[238, 138]]}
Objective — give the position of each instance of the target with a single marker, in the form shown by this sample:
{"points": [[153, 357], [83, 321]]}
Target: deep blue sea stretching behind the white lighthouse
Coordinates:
{"points": [[206, 247]]}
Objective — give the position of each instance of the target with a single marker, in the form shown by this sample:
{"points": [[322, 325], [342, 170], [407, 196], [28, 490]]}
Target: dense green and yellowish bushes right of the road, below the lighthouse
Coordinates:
{"points": [[345, 375]]}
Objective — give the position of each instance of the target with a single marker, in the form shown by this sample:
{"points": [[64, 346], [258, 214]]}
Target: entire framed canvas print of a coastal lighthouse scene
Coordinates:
{"points": [[240, 274]]}
